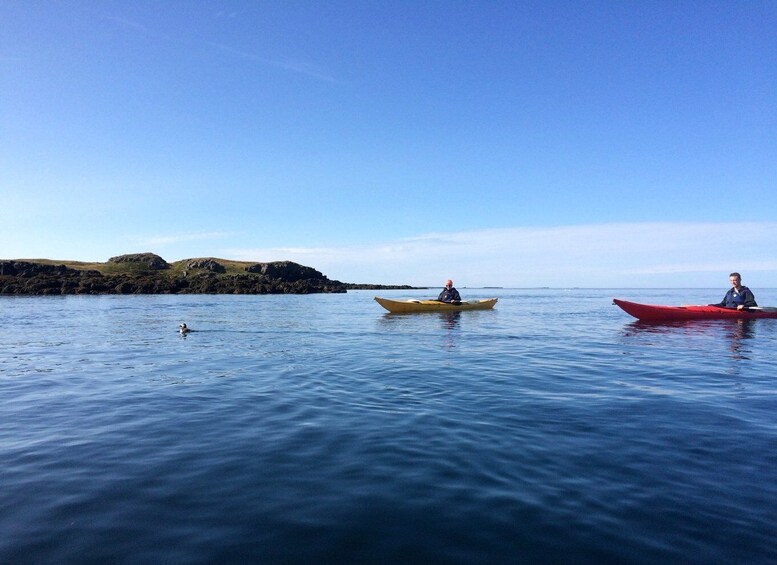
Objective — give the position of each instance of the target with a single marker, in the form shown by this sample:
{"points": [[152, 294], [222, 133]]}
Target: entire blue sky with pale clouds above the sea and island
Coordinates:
{"points": [[586, 143]]}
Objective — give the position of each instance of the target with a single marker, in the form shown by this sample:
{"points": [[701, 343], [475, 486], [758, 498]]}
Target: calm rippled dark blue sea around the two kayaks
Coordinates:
{"points": [[319, 429]]}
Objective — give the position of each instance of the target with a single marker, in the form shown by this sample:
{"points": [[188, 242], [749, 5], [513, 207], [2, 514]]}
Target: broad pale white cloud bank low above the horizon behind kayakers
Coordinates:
{"points": [[641, 255]]}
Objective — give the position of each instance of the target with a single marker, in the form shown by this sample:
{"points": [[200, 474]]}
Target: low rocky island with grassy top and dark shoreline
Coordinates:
{"points": [[148, 273]]}
